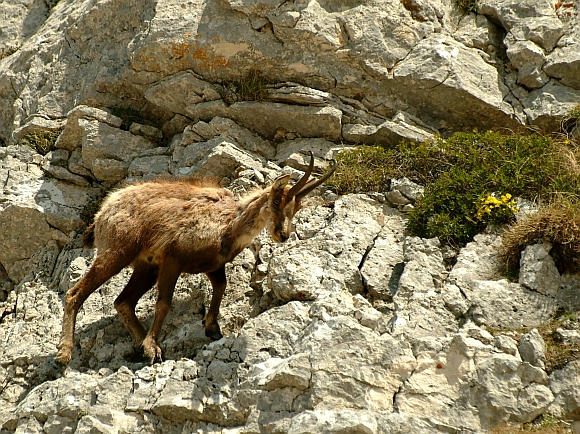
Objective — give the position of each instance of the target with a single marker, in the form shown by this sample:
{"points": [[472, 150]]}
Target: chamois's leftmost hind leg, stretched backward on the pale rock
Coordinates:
{"points": [[106, 265]]}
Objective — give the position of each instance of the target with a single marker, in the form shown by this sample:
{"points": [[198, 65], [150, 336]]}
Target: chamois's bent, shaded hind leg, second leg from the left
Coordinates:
{"points": [[141, 281]]}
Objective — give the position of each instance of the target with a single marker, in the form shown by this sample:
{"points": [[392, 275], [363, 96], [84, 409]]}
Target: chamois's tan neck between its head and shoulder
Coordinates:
{"points": [[251, 219]]}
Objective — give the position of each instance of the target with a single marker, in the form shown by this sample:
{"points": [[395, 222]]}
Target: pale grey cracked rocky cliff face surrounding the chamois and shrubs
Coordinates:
{"points": [[352, 325]]}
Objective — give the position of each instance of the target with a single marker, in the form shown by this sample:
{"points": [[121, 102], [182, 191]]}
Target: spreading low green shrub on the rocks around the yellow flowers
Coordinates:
{"points": [[458, 172]]}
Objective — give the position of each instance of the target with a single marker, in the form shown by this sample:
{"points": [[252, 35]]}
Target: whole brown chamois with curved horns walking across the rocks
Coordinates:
{"points": [[165, 227]]}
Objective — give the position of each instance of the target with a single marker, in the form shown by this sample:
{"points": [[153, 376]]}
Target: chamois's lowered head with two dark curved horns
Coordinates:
{"points": [[285, 201]]}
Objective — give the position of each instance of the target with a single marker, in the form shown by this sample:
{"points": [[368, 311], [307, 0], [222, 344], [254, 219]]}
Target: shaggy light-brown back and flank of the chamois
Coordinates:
{"points": [[152, 215]]}
